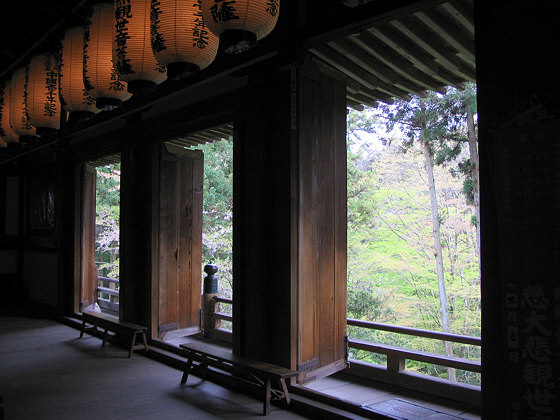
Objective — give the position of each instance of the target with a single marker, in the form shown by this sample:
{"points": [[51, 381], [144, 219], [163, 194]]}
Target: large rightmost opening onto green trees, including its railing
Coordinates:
{"points": [[411, 263]]}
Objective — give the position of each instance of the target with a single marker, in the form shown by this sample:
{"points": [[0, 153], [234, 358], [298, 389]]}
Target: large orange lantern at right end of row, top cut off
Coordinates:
{"points": [[240, 23]]}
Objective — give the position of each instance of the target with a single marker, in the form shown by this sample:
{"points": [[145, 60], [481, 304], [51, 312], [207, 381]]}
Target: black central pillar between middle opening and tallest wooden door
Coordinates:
{"points": [[262, 307]]}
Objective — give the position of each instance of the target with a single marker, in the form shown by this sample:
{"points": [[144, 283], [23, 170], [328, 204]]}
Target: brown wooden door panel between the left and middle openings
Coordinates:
{"points": [[177, 239]]}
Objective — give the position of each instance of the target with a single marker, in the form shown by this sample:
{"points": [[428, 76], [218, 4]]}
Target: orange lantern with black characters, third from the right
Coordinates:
{"points": [[132, 50]]}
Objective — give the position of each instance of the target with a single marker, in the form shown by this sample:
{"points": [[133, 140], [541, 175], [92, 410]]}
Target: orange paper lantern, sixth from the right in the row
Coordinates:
{"points": [[43, 102]]}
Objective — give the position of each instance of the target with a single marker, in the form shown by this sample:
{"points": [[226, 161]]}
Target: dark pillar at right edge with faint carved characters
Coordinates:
{"points": [[517, 62]]}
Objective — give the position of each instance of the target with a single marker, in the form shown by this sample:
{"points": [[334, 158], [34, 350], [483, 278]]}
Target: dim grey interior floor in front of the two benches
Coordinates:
{"points": [[46, 372]]}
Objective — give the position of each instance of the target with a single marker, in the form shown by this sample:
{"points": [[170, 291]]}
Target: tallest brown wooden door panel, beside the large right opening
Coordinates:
{"points": [[321, 224]]}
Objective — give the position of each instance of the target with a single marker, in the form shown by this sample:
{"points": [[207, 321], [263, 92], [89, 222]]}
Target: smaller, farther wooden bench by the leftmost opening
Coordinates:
{"points": [[109, 323]]}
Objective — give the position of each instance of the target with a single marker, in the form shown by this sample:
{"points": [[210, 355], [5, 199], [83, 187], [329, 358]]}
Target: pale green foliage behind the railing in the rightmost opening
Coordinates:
{"points": [[390, 241]]}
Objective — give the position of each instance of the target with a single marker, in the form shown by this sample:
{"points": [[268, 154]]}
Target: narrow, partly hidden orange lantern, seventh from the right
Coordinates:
{"points": [[19, 117]]}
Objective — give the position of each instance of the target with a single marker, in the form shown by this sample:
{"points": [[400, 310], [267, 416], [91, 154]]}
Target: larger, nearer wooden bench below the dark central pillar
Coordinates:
{"points": [[260, 373]]}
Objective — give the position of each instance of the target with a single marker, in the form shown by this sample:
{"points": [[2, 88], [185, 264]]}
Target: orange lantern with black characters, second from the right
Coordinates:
{"points": [[180, 38]]}
